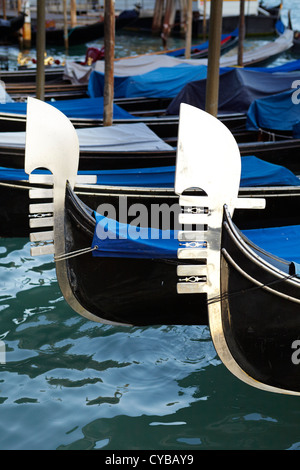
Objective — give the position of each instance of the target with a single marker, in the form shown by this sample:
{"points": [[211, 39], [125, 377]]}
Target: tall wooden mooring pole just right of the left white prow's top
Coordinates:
{"points": [[109, 47]]}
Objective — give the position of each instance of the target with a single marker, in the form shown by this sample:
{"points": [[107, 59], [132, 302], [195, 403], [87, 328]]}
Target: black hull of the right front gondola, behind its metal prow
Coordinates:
{"points": [[260, 312]]}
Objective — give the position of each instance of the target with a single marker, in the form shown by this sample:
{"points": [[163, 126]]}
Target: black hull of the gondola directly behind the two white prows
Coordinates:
{"points": [[282, 201]]}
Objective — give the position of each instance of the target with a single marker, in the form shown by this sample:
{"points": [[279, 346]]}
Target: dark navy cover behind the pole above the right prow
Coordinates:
{"points": [[239, 87]]}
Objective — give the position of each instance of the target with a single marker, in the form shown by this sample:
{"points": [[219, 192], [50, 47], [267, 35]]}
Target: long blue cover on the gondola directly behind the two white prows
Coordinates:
{"points": [[255, 172]]}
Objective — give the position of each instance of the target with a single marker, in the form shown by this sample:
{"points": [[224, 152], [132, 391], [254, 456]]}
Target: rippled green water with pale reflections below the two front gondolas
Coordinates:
{"points": [[72, 384]]}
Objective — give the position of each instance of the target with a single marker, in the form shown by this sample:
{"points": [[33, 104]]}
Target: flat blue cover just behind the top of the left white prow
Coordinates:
{"points": [[80, 108]]}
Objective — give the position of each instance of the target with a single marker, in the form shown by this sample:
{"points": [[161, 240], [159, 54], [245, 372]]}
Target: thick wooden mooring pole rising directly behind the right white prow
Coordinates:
{"points": [[214, 47]]}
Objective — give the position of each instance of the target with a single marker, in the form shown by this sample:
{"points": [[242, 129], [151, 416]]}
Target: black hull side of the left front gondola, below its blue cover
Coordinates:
{"points": [[125, 290]]}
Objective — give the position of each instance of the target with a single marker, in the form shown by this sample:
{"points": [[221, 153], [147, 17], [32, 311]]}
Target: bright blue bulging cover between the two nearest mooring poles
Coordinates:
{"points": [[164, 82]]}
